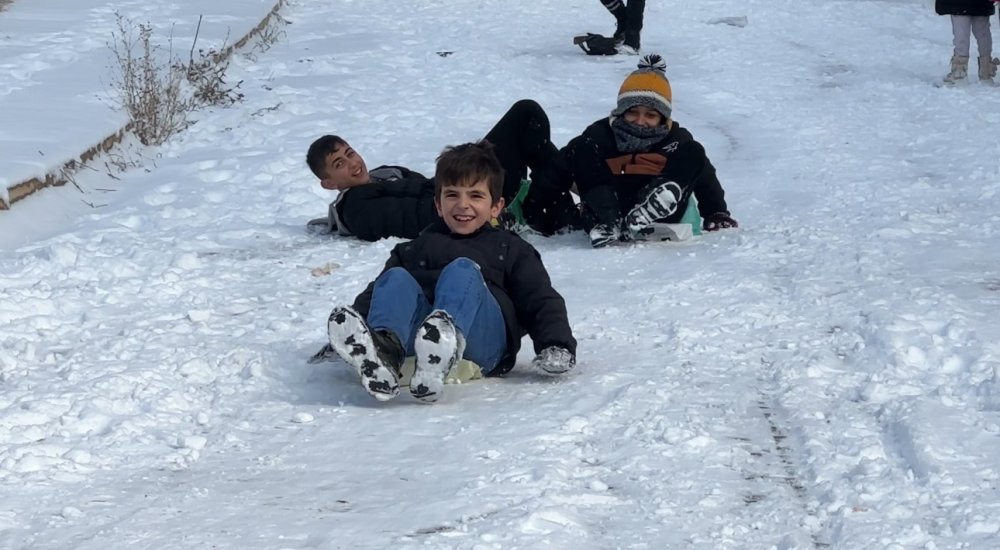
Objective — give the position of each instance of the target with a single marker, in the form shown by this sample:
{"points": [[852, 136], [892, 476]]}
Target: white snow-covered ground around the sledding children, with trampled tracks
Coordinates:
{"points": [[826, 376]]}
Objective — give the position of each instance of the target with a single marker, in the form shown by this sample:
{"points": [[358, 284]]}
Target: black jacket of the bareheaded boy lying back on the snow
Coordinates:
{"points": [[398, 202]]}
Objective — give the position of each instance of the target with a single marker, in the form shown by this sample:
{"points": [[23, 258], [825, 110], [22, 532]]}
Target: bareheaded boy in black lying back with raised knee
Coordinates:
{"points": [[392, 201]]}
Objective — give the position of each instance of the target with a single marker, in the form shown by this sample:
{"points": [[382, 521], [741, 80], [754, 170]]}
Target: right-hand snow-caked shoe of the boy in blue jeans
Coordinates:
{"points": [[438, 348]]}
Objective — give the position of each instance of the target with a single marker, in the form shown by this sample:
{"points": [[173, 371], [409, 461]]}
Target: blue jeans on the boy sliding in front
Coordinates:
{"points": [[400, 306]]}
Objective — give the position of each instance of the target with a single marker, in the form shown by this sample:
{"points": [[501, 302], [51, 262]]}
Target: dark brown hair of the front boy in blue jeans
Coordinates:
{"points": [[464, 165]]}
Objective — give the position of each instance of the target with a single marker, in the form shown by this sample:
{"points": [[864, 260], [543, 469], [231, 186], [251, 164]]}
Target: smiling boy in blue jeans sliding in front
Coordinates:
{"points": [[462, 288]]}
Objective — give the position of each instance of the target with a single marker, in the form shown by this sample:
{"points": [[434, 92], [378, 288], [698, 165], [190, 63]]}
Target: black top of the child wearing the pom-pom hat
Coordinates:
{"points": [[609, 181]]}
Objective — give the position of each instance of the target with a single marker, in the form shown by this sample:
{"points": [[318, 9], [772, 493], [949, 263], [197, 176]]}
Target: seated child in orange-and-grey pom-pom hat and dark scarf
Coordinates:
{"points": [[635, 167]]}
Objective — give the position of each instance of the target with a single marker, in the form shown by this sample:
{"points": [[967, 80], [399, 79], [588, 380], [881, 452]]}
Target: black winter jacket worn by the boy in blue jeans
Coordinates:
{"points": [[513, 271]]}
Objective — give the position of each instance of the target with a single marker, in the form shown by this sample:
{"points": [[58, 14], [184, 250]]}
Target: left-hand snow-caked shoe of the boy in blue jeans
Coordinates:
{"points": [[377, 356]]}
